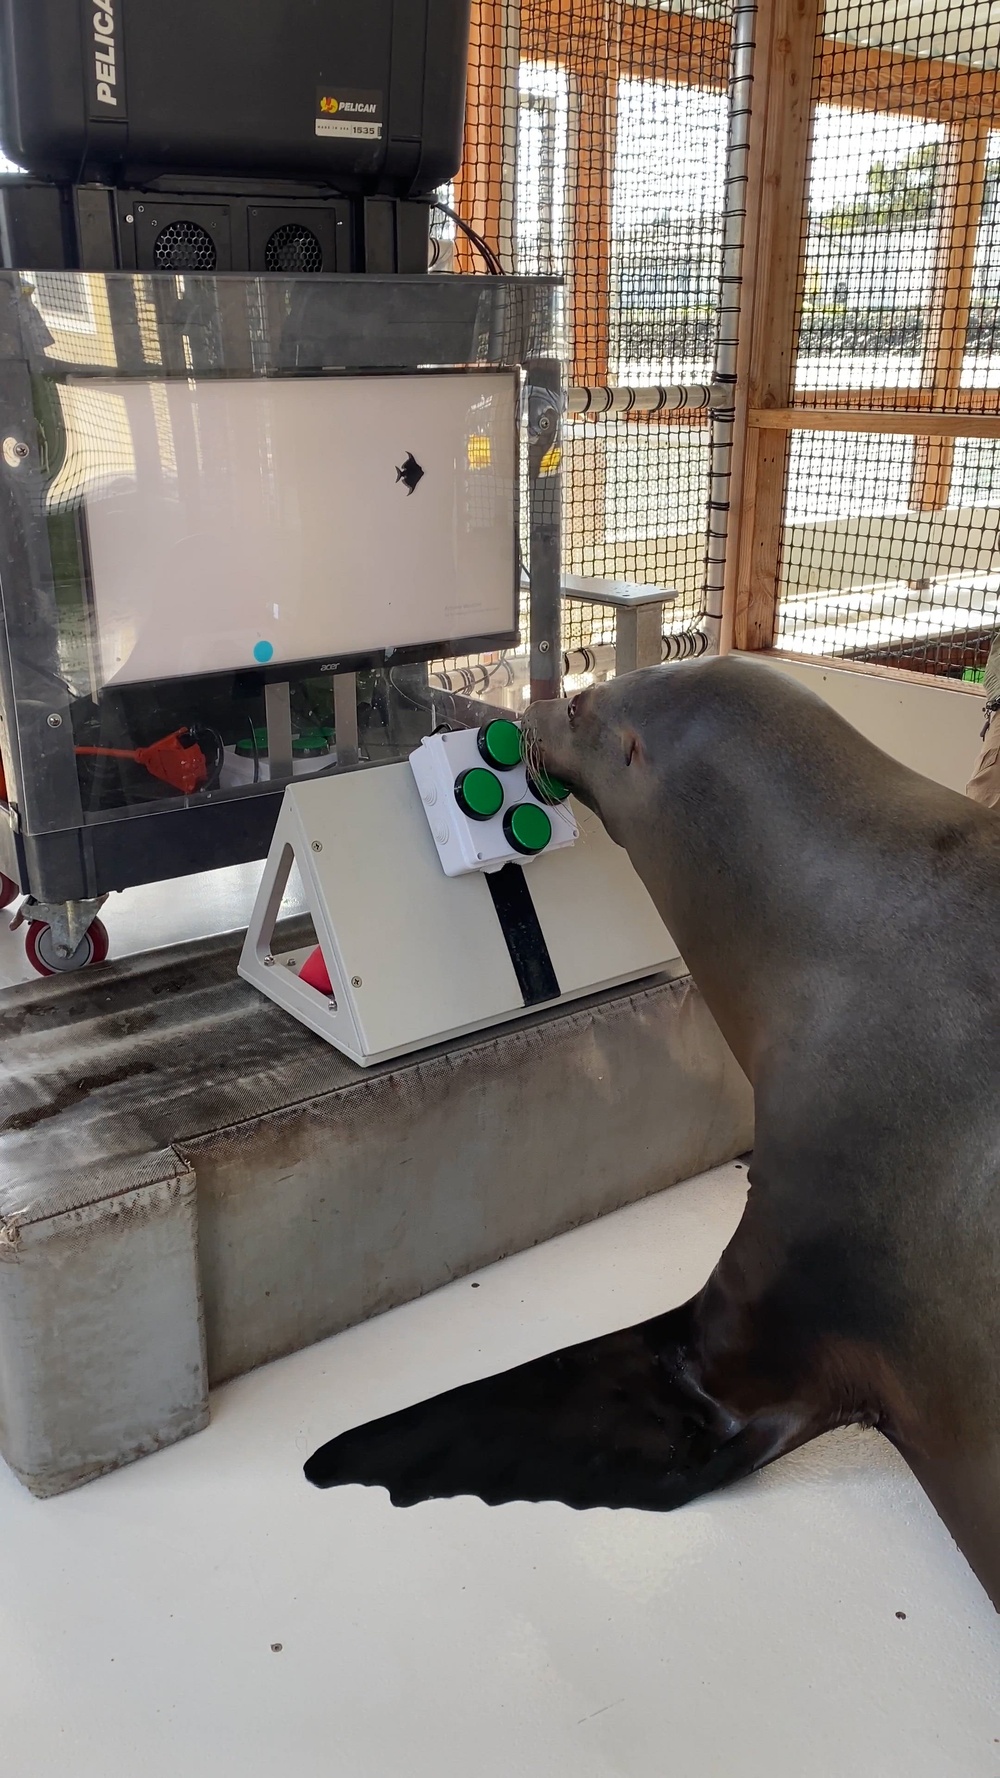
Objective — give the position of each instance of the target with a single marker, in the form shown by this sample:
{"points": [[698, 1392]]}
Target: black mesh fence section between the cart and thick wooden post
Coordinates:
{"points": [[595, 152]]}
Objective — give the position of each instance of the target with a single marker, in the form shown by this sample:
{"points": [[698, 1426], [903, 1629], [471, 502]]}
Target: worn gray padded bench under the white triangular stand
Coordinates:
{"points": [[193, 1185]]}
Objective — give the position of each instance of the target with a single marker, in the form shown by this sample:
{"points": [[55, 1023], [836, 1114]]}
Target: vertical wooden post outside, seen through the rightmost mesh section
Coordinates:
{"points": [[962, 207]]}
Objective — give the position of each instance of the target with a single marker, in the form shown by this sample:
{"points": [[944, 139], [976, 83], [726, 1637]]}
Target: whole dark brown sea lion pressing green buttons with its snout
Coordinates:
{"points": [[843, 920]]}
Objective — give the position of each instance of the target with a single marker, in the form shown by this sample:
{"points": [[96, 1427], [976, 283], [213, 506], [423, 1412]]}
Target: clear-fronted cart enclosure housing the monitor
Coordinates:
{"points": [[216, 486]]}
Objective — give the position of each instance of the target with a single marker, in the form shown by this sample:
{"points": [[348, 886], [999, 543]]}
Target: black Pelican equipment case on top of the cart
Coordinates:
{"points": [[362, 95]]}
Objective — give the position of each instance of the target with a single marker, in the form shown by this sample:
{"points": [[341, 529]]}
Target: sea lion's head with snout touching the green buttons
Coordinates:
{"points": [[602, 744]]}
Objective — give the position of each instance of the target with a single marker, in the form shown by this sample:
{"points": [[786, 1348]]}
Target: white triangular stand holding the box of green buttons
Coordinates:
{"points": [[415, 956]]}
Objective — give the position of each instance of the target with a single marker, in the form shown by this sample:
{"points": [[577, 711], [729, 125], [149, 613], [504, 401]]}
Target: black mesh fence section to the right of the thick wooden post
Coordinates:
{"points": [[892, 540]]}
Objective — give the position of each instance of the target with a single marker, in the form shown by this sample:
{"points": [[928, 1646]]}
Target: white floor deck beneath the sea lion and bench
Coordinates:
{"points": [[209, 1615]]}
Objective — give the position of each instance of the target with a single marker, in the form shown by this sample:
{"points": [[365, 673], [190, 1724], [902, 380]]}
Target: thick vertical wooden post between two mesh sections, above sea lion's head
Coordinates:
{"points": [[777, 196]]}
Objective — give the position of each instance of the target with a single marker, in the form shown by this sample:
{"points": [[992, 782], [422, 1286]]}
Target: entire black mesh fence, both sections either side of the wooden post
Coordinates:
{"points": [[597, 152]]}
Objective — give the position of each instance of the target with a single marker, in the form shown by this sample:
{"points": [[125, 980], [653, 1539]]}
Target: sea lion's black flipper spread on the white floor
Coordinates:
{"points": [[617, 1422]]}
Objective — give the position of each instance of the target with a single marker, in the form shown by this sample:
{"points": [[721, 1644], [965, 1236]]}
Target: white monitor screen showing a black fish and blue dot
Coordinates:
{"points": [[239, 524]]}
